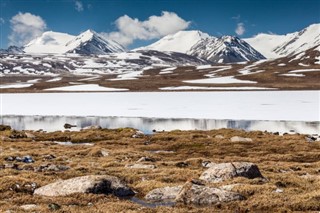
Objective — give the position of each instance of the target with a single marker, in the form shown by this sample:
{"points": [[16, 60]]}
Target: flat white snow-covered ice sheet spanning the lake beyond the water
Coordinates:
{"points": [[241, 105]]}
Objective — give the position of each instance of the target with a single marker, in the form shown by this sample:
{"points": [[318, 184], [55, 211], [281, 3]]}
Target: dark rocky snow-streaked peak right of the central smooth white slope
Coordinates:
{"points": [[227, 49]]}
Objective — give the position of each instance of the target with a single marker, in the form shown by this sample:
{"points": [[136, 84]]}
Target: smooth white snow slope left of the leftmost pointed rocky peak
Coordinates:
{"points": [[49, 42]]}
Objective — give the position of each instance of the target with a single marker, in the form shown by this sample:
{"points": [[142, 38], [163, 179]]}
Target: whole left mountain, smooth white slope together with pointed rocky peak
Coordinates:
{"points": [[88, 42]]}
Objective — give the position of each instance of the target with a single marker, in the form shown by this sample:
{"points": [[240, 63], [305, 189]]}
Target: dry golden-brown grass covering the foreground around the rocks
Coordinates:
{"points": [[287, 162]]}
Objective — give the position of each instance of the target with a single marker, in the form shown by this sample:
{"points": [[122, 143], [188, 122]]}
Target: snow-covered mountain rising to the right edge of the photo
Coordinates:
{"points": [[275, 46]]}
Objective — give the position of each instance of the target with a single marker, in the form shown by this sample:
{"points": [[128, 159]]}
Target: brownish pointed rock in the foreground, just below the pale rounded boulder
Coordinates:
{"points": [[205, 195]]}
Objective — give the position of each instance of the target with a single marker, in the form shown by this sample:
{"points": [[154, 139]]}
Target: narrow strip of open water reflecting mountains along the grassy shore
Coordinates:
{"points": [[147, 125]]}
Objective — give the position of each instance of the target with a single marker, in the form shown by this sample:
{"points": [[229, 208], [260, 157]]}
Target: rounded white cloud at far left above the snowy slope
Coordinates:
{"points": [[25, 27]]}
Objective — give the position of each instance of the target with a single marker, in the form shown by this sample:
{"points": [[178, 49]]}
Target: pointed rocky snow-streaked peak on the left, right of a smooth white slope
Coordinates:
{"points": [[90, 42]]}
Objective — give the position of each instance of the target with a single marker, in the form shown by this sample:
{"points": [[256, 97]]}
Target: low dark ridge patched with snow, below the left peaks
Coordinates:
{"points": [[112, 63]]}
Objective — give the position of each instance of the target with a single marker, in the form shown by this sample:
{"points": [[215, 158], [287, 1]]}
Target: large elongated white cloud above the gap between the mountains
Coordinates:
{"points": [[130, 29]]}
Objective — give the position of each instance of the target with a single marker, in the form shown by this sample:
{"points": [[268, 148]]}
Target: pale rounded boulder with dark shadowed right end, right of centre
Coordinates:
{"points": [[224, 171]]}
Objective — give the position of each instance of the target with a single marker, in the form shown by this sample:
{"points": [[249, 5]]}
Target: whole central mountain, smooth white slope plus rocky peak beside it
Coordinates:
{"points": [[226, 49]]}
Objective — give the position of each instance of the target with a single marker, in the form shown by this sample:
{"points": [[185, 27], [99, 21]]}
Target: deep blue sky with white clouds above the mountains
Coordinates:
{"points": [[211, 16]]}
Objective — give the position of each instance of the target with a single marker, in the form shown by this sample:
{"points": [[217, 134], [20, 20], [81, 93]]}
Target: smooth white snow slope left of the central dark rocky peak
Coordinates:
{"points": [[181, 41]]}
